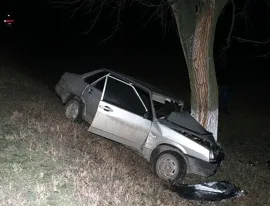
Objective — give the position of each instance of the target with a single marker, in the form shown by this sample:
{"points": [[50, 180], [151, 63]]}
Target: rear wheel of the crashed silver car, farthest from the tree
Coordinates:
{"points": [[73, 110]]}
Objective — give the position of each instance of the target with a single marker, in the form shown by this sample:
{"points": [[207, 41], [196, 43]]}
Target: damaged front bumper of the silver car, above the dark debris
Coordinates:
{"points": [[203, 168]]}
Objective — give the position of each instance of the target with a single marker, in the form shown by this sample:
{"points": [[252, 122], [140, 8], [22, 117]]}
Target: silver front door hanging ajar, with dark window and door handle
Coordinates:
{"points": [[120, 114]]}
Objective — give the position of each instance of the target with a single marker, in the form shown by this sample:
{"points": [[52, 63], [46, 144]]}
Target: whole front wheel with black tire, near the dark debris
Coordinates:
{"points": [[170, 166]]}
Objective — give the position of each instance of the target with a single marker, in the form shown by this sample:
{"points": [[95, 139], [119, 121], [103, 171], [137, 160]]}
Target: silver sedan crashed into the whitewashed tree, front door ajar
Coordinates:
{"points": [[143, 118]]}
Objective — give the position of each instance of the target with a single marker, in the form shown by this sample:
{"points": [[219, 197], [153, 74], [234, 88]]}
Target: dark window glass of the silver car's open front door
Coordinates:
{"points": [[123, 96]]}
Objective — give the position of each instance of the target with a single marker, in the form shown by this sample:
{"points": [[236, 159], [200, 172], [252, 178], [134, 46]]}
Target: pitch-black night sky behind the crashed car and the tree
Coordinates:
{"points": [[48, 41]]}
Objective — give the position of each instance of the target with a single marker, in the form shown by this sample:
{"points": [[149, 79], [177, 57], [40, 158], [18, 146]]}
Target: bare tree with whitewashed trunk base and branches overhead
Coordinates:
{"points": [[196, 23]]}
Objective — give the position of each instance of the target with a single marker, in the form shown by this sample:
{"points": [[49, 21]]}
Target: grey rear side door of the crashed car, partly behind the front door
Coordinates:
{"points": [[91, 96]]}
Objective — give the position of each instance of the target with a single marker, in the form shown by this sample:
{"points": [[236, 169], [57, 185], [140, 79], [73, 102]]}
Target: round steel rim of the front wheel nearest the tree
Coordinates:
{"points": [[167, 167]]}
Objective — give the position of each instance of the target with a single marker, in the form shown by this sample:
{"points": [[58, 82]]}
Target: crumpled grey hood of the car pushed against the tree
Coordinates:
{"points": [[185, 122]]}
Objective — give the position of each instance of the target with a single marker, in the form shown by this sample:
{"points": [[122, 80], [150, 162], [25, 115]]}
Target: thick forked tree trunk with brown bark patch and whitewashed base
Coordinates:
{"points": [[196, 25]]}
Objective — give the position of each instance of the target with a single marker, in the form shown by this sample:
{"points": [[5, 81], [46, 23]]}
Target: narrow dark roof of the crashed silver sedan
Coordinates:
{"points": [[152, 89]]}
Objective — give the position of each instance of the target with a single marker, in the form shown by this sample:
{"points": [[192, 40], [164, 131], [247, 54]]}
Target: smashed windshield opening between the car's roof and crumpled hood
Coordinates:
{"points": [[164, 106]]}
